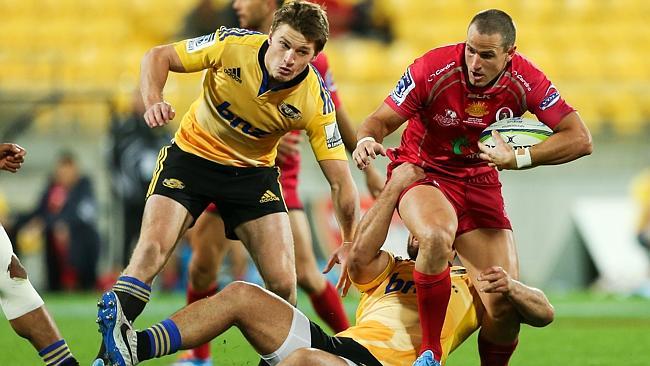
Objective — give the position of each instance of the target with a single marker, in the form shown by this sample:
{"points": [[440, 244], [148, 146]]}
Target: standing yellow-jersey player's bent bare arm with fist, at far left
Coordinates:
{"points": [[154, 70]]}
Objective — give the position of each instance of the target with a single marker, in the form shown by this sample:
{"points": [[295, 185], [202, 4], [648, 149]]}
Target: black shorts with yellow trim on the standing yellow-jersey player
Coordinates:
{"points": [[242, 194]]}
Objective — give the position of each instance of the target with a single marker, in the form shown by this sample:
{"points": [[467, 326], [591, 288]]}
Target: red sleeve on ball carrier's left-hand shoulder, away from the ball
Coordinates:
{"points": [[410, 93]]}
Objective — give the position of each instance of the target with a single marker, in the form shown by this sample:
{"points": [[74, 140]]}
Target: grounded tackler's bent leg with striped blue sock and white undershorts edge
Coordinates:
{"points": [[271, 325]]}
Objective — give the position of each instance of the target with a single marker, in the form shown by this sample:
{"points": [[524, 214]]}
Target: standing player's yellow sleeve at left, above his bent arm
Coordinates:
{"points": [[202, 52]]}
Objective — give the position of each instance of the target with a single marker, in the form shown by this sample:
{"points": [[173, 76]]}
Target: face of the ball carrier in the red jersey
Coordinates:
{"points": [[485, 57]]}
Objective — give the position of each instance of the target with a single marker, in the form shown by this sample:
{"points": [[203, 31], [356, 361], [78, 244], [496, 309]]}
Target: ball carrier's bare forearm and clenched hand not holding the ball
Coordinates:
{"points": [[372, 131]]}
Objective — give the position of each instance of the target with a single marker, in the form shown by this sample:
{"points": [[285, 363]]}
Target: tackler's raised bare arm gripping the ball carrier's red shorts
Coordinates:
{"points": [[366, 261]]}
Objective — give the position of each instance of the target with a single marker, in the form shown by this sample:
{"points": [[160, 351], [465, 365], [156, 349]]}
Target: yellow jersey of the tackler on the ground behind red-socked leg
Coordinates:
{"points": [[387, 321]]}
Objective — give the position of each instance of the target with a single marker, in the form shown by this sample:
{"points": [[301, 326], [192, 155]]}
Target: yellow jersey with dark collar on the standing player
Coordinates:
{"points": [[238, 120]]}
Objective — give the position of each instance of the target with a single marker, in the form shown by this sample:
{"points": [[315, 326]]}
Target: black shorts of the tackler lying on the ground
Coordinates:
{"points": [[341, 346]]}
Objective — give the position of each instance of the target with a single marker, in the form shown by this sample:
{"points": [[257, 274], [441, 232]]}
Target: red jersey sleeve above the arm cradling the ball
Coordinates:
{"points": [[545, 101]]}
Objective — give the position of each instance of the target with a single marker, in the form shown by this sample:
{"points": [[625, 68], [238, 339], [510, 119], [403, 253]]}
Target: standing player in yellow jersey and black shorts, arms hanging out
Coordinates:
{"points": [[256, 88]]}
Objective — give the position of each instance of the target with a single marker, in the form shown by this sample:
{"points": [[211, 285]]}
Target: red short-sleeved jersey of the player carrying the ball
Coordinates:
{"points": [[446, 114]]}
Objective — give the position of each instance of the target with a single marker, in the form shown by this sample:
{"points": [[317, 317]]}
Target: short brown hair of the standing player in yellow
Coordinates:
{"points": [[307, 18]]}
